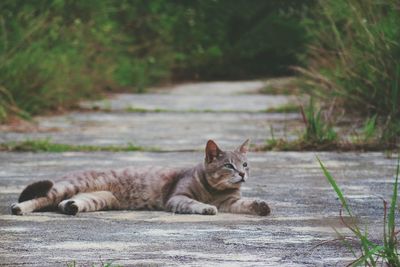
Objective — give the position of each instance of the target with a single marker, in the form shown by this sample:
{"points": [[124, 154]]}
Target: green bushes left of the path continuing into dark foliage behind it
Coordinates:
{"points": [[56, 52]]}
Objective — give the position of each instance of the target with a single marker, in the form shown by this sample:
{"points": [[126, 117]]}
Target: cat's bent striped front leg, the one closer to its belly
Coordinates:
{"points": [[184, 204]]}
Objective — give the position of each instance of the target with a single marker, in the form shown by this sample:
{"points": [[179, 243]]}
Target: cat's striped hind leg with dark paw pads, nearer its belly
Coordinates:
{"points": [[99, 200]]}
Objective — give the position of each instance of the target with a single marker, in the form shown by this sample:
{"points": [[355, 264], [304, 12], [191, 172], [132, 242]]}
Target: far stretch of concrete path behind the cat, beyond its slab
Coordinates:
{"points": [[173, 119]]}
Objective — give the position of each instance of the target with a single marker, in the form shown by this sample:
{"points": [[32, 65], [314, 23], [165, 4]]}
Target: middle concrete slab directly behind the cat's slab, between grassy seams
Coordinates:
{"points": [[167, 131]]}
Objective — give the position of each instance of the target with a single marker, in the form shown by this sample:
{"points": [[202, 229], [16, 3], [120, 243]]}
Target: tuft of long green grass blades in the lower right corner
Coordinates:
{"points": [[372, 253]]}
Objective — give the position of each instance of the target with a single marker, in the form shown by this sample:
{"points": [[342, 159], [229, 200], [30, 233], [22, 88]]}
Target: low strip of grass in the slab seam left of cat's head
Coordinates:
{"points": [[45, 145]]}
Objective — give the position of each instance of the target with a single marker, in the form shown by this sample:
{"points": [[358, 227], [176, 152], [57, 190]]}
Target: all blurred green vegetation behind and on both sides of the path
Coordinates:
{"points": [[56, 52]]}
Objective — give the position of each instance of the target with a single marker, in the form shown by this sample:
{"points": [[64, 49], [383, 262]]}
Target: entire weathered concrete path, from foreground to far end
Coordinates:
{"points": [[304, 207]]}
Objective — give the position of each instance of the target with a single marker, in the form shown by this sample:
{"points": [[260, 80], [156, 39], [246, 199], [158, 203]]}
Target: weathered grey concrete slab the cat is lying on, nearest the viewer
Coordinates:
{"points": [[304, 210]]}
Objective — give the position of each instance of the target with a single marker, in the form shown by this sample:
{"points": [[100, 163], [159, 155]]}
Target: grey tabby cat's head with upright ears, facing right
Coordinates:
{"points": [[226, 169]]}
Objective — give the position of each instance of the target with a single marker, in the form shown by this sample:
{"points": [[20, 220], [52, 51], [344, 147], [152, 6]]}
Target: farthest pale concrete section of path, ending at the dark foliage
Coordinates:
{"points": [[207, 96]]}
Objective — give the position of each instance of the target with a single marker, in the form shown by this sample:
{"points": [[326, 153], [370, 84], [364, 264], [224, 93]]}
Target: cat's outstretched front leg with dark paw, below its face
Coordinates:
{"points": [[245, 205]]}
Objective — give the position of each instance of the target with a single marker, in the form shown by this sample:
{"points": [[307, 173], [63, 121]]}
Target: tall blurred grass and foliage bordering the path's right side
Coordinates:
{"points": [[355, 56]]}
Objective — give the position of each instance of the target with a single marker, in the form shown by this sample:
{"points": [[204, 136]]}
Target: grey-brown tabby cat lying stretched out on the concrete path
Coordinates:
{"points": [[207, 188]]}
